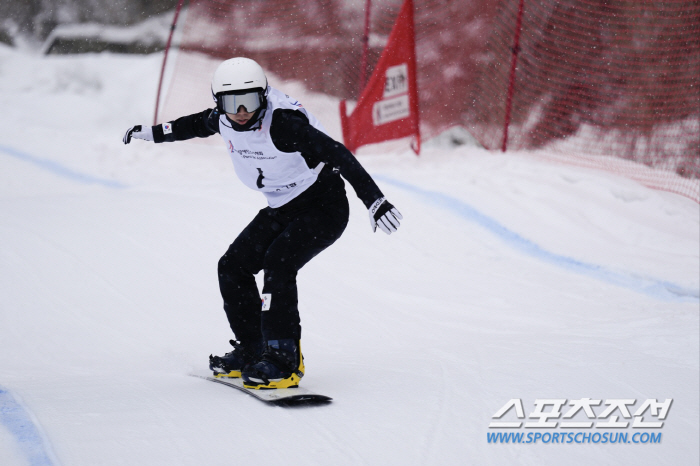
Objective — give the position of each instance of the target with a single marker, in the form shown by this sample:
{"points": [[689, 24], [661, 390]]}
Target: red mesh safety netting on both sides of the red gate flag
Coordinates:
{"points": [[613, 84]]}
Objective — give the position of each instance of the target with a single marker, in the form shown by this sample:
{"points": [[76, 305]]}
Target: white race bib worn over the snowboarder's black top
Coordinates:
{"points": [[280, 176]]}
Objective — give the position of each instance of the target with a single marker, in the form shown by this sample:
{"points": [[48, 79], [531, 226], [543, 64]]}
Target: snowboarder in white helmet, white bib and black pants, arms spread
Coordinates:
{"points": [[281, 150]]}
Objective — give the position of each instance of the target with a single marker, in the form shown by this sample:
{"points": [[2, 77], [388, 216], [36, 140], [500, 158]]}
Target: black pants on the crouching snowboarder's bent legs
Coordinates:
{"points": [[280, 242]]}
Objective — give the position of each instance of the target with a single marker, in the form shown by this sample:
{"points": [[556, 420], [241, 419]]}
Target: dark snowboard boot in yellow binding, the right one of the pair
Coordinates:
{"points": [[280, 366]]}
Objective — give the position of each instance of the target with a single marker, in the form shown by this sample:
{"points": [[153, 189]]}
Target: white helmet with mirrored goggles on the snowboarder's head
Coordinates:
{"points": [[239, 82]]}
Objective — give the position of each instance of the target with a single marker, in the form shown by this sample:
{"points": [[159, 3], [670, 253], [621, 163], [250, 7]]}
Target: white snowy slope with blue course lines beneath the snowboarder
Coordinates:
{"points": [[510, 278]]}
